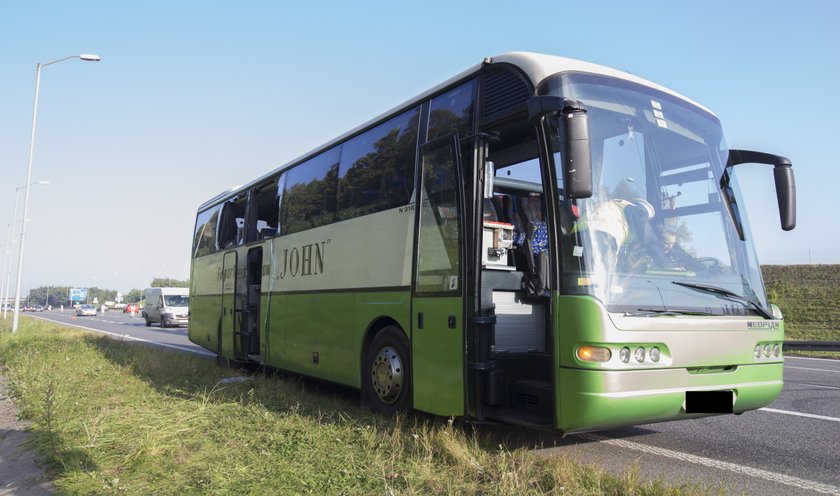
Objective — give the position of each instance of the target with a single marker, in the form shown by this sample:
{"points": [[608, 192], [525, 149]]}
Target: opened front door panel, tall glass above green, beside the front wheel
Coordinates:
{"points": [[437, 340]]}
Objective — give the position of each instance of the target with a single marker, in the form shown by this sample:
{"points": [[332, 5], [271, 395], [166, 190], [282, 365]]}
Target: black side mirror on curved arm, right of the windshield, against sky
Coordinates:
{"points": [[783, 175]]}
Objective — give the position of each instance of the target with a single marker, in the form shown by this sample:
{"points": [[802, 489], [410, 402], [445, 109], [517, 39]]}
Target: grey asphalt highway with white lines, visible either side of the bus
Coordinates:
{"points": [[790, 447]]}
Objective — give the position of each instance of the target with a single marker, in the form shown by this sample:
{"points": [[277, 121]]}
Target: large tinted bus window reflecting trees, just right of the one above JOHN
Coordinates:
{"points": [[377, 168]]}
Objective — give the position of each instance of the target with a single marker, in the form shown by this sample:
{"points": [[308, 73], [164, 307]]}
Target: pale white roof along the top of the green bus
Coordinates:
{"points": [[535, 66]]}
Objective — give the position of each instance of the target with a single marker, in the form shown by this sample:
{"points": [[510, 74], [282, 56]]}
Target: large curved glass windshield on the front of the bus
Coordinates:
{"points": [[656, 236]]}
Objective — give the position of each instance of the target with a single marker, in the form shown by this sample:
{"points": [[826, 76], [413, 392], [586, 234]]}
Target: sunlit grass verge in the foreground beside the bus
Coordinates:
{"points": [[117, 418]]}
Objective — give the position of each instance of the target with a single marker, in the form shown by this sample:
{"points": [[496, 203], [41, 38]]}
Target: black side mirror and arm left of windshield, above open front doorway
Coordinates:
{"points": [[574, 129]]}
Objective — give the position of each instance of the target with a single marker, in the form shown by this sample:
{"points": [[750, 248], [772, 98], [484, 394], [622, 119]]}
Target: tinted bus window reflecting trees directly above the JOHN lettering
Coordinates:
{"points": [[309, 197]]}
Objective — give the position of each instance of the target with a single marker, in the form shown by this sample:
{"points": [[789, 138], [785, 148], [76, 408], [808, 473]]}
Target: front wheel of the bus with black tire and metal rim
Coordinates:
{"points": [[386, 377]]}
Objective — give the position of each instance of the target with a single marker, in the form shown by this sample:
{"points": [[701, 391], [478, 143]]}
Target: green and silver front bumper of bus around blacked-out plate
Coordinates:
{"points": [[600, 399]]}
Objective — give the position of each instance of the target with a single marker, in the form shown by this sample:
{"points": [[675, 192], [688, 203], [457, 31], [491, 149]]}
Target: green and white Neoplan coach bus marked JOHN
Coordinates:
{"points": [[538, 240]]}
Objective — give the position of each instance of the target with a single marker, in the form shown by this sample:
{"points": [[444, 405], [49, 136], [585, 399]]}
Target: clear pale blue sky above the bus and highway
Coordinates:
{"points": [[191, 98]]}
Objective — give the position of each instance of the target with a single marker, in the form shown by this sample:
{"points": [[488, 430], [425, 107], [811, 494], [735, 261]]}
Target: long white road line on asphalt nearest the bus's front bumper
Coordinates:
{"points": [[719, 464]]}
